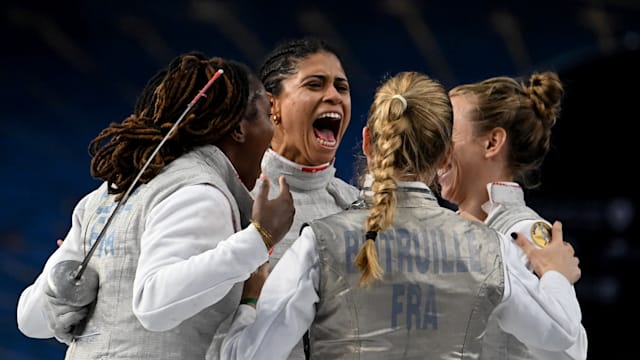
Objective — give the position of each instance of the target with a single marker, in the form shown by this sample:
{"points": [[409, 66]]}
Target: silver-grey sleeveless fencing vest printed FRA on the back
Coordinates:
{"points": [[439, 286]]}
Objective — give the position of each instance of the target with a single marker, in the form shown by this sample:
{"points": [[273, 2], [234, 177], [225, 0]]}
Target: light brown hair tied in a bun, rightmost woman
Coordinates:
{"points": [[526, 110]]}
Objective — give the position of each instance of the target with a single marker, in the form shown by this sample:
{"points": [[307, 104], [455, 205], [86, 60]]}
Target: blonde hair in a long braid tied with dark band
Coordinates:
{"points": [[410, 122]]}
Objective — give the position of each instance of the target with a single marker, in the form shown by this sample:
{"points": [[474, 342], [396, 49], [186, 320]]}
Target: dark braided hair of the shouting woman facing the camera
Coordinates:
{"points": [[281, 62]]}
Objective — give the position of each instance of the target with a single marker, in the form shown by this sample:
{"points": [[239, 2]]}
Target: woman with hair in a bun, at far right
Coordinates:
{"points": [[501, 135]]}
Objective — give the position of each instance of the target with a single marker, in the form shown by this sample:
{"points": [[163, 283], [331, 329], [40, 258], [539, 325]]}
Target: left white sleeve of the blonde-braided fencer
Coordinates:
{"points": [[285, 310]]}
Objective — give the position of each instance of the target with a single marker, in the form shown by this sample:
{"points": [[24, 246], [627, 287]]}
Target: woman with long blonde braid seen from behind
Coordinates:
{"points": [[399, 277]]}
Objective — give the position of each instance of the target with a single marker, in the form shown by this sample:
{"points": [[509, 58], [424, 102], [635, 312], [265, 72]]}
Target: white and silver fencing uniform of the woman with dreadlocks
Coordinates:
{"points": [[170, 262]]}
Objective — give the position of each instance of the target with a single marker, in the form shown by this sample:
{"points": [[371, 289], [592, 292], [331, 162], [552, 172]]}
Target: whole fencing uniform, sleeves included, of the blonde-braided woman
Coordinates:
{"points": [[443, 278]]}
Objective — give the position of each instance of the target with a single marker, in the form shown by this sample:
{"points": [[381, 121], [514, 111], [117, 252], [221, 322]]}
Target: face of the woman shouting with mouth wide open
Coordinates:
{"points": [[312, 111]]}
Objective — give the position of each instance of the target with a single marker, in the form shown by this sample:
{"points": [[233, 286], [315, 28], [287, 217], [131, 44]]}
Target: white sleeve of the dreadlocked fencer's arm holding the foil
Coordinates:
{"points": [[31, 318]]}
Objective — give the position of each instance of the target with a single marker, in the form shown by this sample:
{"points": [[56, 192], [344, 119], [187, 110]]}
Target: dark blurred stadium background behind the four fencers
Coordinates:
{"points": [[71, 67]]}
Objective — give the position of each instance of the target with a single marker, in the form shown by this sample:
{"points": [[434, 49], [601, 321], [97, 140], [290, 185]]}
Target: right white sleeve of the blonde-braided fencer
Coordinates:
{"points": [[542, 313]]}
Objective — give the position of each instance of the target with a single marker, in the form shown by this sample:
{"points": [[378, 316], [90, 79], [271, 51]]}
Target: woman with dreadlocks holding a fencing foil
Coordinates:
{"points": [[172, 263]]}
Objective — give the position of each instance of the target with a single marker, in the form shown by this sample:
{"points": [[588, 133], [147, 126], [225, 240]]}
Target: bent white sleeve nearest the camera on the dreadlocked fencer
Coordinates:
{"points": [[190, 257]]}
